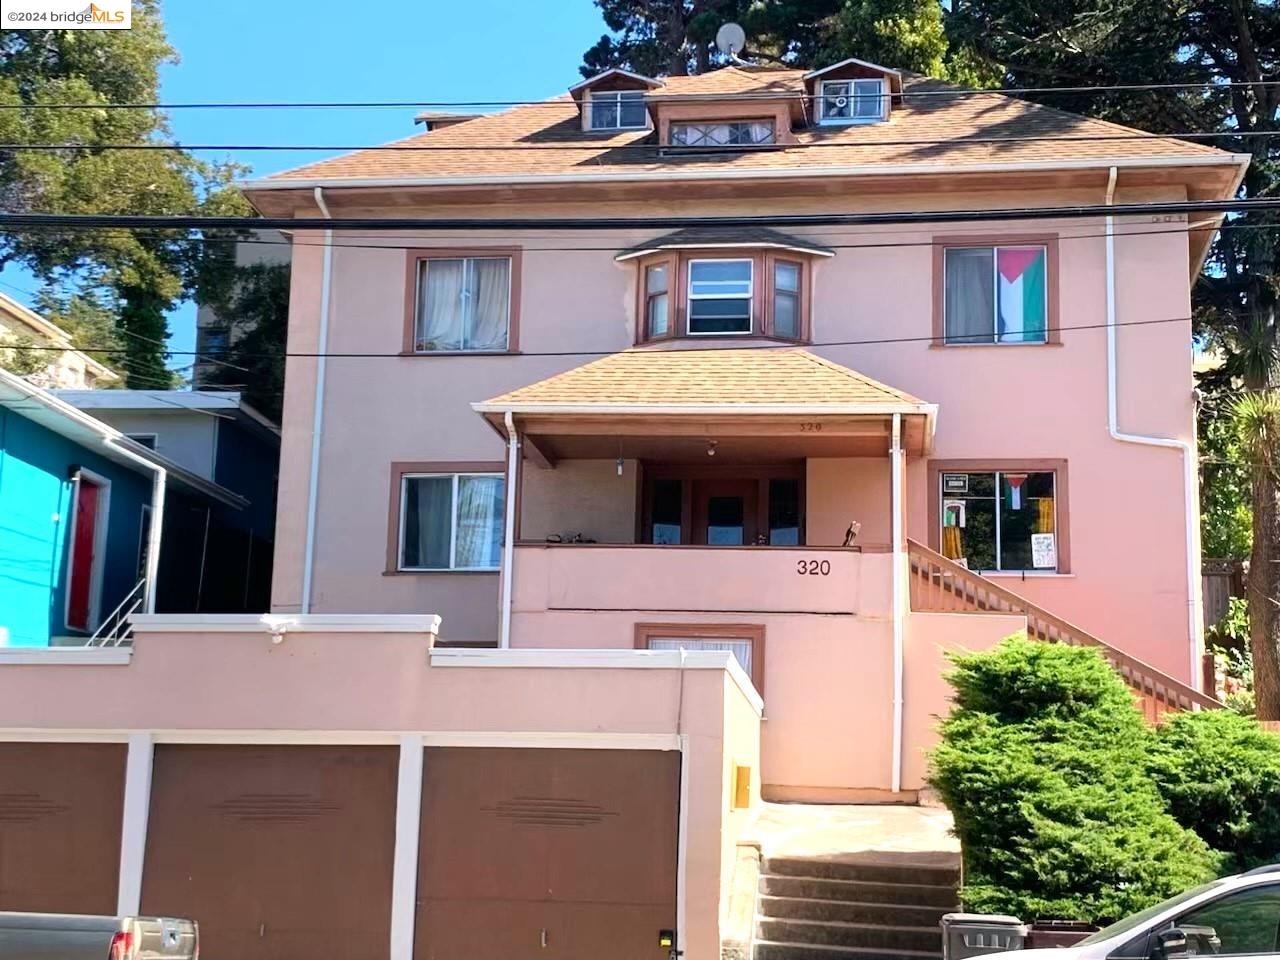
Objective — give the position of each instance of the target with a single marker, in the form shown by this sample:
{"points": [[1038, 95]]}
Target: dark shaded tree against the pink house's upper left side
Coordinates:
{"points": [[259, 301]]}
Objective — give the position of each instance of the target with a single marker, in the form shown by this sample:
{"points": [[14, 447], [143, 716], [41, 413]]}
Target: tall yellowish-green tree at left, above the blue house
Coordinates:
{"points": [[149, 272]]}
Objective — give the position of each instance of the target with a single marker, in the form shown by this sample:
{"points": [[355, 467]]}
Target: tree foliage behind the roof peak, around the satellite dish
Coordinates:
{"points": [[665, 38]]}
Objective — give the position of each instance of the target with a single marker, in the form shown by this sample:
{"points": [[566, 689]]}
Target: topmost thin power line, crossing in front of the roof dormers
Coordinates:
{"points": [[560, 103]]}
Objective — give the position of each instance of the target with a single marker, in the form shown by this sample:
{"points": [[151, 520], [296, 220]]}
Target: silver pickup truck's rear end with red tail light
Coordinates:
{"points": [[88, 938]]}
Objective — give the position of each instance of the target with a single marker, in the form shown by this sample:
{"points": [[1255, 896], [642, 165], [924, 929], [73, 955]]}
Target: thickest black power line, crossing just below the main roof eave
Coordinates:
{"points": [[20, 222]]}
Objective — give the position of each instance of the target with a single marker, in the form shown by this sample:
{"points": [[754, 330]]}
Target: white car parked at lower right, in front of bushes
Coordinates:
{"points": [[1237, 917]]}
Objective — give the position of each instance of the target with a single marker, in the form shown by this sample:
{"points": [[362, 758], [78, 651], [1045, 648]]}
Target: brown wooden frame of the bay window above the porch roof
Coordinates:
{"points": [[764, 262]]}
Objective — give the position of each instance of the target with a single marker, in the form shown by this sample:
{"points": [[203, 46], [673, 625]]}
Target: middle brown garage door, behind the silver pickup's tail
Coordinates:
{"points": [[281, 853]]}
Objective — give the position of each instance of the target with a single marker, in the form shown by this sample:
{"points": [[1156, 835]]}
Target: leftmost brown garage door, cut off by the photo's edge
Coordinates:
{"points": [[61, 810]]}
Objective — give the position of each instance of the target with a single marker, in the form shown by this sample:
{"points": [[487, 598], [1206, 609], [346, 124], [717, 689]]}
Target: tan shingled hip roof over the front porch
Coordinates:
{"points": [[730, 381]]}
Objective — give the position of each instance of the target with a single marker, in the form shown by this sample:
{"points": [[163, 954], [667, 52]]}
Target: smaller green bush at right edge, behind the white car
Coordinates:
{"points": [[1220, 775]]}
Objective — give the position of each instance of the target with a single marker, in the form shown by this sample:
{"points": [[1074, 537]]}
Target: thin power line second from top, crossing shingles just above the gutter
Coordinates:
{"points": [[666, 150]]}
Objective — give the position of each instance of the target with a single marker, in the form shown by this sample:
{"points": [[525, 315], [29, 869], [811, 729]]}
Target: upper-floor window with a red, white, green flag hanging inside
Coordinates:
{"points": [[996, 295]]}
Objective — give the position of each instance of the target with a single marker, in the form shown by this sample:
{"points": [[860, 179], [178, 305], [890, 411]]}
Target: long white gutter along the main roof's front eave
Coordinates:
{"points": [[280, 182]]}
